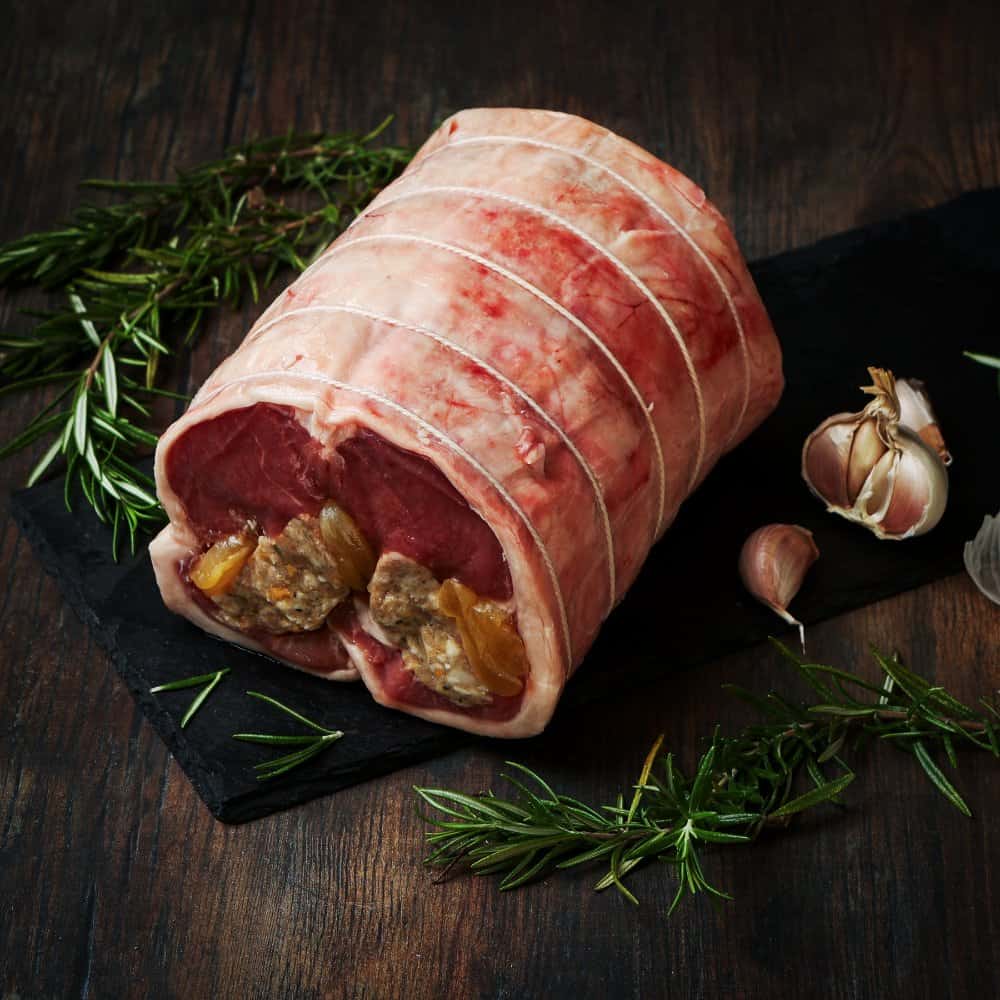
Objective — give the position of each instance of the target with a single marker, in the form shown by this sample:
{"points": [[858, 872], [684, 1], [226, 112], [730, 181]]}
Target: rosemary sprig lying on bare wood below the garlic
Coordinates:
{"points": [[742, 785]]}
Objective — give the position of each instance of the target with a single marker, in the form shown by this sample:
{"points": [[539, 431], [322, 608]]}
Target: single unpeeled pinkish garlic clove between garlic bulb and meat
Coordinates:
{"points": [[773, 563]]}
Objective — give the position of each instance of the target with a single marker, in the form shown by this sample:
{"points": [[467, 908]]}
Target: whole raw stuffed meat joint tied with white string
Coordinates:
{"points": [[440, 457]]}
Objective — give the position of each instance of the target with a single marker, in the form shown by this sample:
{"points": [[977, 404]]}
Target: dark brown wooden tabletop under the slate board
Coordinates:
{"points": [[115, 881]]}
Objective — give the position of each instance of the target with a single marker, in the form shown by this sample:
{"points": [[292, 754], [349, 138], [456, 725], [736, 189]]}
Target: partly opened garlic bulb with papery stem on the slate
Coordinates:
{"points": [[870, 468]]}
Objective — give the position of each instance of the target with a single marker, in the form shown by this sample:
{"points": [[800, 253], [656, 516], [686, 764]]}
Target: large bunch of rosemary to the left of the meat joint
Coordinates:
{"points": [[138, 278]]}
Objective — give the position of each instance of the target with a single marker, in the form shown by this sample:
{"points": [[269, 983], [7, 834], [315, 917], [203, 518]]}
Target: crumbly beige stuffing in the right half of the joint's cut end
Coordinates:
{"points": [[404, 603]]}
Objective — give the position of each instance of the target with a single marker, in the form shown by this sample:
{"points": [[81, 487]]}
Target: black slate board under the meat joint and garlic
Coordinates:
{"points": [[909, 295]]}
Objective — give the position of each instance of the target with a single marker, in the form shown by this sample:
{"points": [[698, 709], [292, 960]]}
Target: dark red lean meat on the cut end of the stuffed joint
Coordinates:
{"points": [[259, 463]]}
